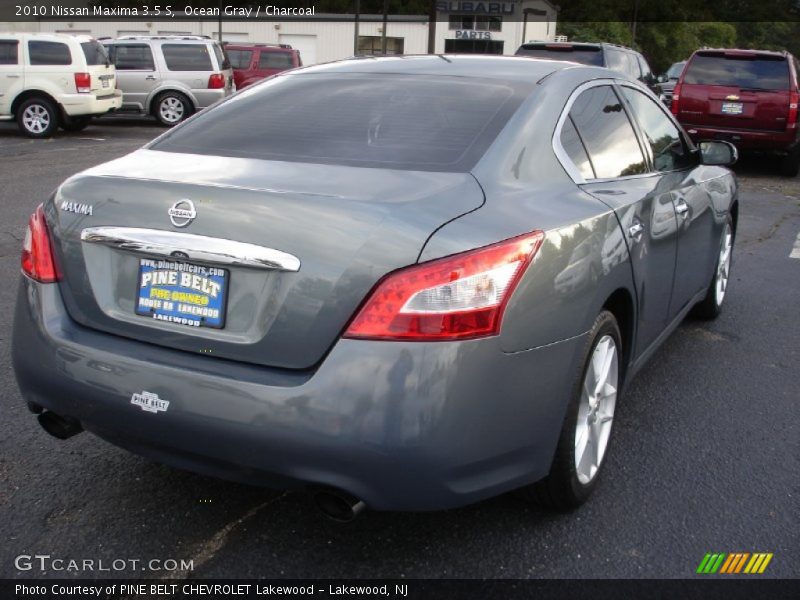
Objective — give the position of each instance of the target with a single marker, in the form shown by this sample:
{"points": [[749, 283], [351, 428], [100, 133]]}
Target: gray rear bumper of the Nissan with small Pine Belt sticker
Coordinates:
{"points": [[403, 426]]}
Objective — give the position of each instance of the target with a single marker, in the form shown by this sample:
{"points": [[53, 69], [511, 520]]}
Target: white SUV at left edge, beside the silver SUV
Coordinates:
{"points": [[51, 80]]}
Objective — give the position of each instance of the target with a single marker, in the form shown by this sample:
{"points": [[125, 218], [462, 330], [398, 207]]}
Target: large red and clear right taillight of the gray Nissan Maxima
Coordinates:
{"points": [[457, 297]]}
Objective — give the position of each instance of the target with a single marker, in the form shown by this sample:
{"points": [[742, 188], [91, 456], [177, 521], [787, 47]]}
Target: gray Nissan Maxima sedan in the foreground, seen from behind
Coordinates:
{"points": [[408, 283]]}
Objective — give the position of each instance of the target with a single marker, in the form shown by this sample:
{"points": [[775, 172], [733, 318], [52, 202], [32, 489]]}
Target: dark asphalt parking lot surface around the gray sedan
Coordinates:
{"points": [[706, 454]]}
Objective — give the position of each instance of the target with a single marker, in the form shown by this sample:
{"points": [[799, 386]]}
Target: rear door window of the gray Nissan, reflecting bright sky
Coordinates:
{"points": [[607, 133]]}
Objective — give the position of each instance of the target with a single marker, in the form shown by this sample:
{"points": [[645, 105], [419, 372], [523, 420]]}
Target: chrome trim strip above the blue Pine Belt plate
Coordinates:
{"points": [[187, 246]]}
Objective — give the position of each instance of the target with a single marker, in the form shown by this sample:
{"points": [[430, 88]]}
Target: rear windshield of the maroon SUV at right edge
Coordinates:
{"points": [[765, 73]]}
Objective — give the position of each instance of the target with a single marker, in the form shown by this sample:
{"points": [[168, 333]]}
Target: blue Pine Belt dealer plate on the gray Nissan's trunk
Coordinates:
{"points": [[182, 293]]}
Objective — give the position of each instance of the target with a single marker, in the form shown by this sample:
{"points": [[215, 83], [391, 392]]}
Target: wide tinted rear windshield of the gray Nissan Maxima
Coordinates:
{"points": [[390, 121]]}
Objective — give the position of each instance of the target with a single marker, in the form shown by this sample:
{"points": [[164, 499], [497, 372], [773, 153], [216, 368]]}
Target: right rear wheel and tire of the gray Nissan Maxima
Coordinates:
{"points": [[589, 419]]}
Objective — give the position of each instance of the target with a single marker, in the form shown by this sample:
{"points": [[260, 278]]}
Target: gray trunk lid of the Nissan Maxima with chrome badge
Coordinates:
{"points": [[346, 226]]}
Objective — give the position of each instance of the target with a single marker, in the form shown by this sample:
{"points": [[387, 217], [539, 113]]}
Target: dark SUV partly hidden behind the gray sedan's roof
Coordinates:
{"points": [[617, 58]]}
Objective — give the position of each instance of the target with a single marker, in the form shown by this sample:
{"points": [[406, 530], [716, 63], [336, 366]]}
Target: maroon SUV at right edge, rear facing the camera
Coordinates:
{"points": [[748, 97]]}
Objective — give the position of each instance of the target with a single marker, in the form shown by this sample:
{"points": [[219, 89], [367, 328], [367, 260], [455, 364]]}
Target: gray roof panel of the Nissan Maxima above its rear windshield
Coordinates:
{"points": [[519, 68]]}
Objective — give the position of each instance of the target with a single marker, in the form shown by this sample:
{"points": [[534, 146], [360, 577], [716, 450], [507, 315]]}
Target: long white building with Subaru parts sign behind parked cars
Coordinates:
{"points": [[474, 26]]}
